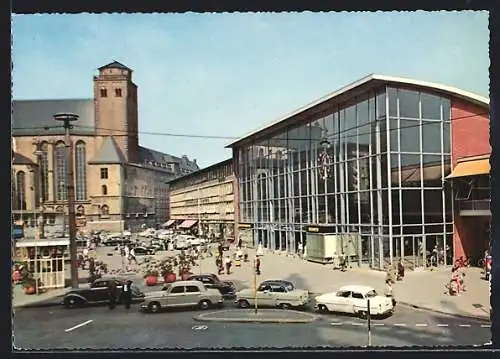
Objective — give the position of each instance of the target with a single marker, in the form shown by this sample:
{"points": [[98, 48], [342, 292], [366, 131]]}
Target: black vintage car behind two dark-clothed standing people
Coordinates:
{"points": [[98, 293]]}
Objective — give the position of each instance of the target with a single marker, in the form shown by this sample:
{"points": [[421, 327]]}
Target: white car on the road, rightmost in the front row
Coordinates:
{"points": [[354, 299]]}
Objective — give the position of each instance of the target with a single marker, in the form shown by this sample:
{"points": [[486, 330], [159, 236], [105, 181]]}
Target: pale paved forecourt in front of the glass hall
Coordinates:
{"points": [[420, 289]]}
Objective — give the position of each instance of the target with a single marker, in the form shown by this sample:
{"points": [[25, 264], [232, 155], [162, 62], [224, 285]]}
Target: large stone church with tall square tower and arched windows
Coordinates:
{"points": [[118, 184]]}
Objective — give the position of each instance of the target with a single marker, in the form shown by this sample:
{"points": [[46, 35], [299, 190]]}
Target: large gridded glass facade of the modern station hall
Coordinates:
{"points": [[388, 152]]}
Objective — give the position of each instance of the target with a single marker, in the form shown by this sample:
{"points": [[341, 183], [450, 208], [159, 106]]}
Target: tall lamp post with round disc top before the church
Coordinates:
{"points": [[67, 118]]}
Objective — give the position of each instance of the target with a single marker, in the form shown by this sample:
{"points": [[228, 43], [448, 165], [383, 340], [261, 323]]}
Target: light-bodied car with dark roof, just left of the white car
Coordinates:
{"points": [[273, 294]]}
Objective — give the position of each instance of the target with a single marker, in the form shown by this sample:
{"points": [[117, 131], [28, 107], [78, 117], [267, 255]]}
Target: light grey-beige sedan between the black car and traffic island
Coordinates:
{"points": [[189, 293]]}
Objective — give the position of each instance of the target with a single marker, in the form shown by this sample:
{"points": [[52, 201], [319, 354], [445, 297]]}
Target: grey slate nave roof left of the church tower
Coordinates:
{"points": [[35, 117]]}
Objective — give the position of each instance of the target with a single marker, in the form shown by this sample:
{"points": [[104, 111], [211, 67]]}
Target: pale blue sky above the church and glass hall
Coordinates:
{"points": [[228, 74]]}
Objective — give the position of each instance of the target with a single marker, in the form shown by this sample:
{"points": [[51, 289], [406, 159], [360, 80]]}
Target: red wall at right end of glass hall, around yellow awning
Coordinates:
{"points": [[470, 137]]}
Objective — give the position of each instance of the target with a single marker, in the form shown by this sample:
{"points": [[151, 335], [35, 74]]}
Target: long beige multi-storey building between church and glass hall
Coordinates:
{"points": [[203, 201]]}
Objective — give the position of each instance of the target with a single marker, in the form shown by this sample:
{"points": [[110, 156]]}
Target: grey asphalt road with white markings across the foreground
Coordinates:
{"points": [[100, 328]]}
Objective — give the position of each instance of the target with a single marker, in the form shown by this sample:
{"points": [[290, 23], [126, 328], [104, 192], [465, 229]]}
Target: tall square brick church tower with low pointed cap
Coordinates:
{"points": [[116, 112]]}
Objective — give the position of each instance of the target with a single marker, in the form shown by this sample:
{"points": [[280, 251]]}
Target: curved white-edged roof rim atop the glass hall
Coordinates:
{"points": [[354, 89]]}
